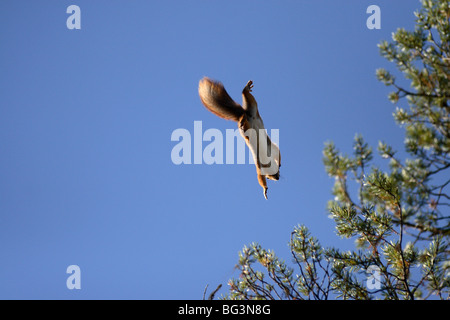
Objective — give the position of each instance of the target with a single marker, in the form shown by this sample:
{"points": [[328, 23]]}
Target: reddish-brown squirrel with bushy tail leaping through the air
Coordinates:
{"points": [[266, 154]]}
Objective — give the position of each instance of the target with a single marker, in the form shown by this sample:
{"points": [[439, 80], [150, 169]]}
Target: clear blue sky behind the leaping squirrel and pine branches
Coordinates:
{"points": [[86, 118]]}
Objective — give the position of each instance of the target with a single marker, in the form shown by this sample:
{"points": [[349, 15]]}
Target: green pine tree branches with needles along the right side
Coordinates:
{"points": [[399, 219]]}
